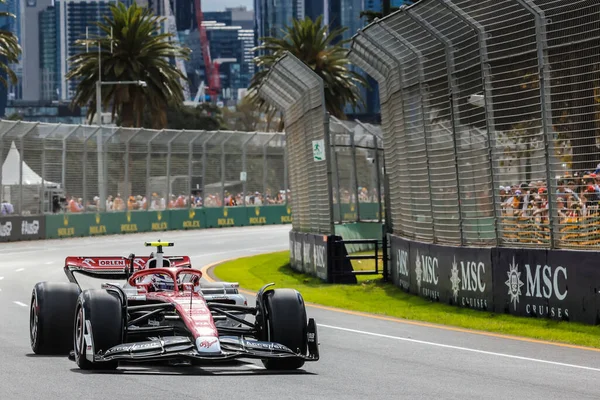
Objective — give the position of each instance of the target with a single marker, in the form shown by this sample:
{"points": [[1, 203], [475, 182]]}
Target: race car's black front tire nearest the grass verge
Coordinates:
{"points": [[286, 325]]}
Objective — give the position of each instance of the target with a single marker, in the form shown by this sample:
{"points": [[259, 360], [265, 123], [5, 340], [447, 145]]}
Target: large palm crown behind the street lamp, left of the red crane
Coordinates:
{"points": [[137, 51]]}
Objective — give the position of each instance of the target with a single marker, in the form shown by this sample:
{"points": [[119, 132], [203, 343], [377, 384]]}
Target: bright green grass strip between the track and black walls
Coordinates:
{"points": [[373, 296]]}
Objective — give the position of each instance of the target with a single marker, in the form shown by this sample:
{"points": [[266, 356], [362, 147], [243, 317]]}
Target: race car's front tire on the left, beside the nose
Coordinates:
{"points": [[104, 312]]}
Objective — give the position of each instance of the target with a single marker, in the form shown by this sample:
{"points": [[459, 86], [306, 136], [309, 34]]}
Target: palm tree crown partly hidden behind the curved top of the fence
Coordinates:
{"points": [[323, 51]]}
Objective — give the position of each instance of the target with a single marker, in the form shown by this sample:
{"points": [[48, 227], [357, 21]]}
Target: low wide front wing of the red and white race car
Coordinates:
{"points": [[182, 347]]}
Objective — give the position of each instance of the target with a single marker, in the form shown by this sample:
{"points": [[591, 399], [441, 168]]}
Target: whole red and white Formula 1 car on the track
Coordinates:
{"points": [[165, 312]]}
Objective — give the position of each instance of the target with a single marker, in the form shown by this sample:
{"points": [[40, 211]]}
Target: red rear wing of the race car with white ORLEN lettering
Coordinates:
{"points": [[117, 268]]}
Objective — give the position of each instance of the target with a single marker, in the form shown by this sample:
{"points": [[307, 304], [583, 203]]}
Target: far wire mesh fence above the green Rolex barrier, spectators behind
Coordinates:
{"points": [[49, 168]]}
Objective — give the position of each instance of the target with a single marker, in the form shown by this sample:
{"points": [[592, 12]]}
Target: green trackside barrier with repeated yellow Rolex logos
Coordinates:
{"points": [[109, 223]]}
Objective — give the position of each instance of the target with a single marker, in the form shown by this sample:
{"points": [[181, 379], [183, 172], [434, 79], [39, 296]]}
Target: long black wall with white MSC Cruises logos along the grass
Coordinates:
{"points": [[555, 284]]}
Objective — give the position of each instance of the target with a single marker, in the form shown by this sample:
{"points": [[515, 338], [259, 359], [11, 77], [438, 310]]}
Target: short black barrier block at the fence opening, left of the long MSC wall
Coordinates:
{"points": [[316, 255]]}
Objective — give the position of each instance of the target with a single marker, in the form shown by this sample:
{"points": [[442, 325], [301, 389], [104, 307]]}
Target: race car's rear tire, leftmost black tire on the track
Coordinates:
{"points": [[51, 317]]}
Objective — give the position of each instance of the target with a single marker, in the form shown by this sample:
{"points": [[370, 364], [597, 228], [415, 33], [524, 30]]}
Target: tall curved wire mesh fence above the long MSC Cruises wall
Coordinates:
{"points": [[491, 118]]}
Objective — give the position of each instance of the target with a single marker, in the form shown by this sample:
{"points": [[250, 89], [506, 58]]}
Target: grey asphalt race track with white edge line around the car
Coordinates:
{"points": [[361, 357]]}
